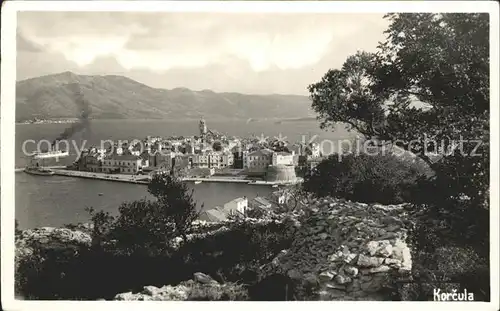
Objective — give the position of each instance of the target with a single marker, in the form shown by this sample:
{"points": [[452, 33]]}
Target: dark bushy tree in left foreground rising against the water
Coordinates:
{"points": [[147, 227]]}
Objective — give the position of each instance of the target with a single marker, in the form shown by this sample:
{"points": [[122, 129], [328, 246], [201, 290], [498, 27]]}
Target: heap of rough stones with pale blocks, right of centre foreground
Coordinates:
{"points": [[347, 251]]}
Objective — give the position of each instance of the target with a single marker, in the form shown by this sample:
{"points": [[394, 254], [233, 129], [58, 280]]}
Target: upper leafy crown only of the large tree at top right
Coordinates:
{"points": [[439, 60]]}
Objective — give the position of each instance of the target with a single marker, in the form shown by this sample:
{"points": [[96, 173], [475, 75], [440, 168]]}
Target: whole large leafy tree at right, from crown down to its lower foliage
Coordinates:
{"points": [[425, 90]]}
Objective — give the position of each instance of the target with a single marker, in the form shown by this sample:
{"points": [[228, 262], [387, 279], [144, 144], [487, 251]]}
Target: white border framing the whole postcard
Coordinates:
{"points": [[8, 83]]}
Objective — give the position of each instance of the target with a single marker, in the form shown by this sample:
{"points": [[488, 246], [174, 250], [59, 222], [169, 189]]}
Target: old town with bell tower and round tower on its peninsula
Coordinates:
{"points": [[210, 156]]}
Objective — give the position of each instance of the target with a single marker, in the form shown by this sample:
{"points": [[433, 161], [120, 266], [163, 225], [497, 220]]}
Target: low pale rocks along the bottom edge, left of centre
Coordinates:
{"points": [[202, 287]]}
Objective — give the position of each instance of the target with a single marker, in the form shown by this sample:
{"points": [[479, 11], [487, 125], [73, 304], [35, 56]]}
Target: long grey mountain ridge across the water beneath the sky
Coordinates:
{"points": [[118, 97]]}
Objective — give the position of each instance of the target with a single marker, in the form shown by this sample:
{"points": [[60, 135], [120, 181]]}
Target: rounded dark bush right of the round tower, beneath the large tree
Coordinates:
{"points": [[384, 179]]}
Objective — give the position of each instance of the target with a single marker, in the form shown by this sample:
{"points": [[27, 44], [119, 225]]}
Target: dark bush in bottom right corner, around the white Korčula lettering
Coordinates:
{"points": [[444, 259]]}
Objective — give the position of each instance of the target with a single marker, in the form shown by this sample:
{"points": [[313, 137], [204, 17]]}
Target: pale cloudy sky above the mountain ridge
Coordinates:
{"points": [[253, 53]]}
